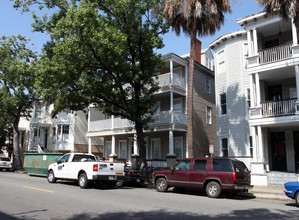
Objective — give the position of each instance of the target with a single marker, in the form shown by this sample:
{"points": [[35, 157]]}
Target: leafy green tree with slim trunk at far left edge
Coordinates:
{"points": [[17, 91]]}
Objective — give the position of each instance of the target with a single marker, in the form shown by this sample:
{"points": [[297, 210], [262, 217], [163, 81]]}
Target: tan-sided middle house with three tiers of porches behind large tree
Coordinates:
{"points": [[166, 138]]}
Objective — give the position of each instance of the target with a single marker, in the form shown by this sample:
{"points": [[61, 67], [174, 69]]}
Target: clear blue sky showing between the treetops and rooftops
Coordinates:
{"points": [[13, 22]]}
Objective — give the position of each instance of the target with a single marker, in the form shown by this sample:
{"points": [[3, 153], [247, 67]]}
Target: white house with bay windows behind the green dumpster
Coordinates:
{"points": [[64, 133]]}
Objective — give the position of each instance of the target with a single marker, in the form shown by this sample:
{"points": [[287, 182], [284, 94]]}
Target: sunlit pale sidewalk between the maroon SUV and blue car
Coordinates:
{"points": [[271, 192]]}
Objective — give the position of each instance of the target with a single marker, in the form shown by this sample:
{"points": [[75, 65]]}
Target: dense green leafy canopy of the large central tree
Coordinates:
{"points": [[100, 53]]}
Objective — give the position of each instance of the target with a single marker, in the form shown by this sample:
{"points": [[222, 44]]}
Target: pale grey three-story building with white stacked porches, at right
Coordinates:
{"points": [[257, 90]]}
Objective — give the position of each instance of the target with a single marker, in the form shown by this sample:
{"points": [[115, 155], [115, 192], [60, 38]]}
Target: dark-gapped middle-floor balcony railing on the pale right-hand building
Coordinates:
{"points": [[278, 108]]}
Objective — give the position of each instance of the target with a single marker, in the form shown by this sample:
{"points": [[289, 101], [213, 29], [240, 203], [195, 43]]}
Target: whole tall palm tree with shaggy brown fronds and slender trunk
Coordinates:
{"points": [[194, 17]]}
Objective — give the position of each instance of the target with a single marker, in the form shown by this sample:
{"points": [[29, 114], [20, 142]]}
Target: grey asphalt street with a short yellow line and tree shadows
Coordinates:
{"points": [[31, 197]]}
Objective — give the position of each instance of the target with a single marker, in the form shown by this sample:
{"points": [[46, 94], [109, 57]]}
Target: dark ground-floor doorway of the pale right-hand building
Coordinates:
{"points": [[279, 162]]}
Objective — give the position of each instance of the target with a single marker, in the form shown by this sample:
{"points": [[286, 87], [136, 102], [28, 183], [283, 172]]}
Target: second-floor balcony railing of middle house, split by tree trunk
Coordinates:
{"points": [[164, 117]]}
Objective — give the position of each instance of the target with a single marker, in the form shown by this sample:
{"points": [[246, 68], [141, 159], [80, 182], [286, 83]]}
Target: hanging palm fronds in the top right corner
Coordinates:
{"points": [[285, 8]]}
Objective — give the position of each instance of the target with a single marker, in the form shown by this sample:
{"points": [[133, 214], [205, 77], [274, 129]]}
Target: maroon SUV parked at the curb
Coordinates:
{"points": [[210, 174]]}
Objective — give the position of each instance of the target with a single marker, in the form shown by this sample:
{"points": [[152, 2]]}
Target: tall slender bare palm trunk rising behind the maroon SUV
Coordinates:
{"points": [[190, 92]]}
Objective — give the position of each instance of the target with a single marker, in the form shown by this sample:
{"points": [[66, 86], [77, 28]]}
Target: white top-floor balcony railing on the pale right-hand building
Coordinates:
{"points": [[275, 54]]}
